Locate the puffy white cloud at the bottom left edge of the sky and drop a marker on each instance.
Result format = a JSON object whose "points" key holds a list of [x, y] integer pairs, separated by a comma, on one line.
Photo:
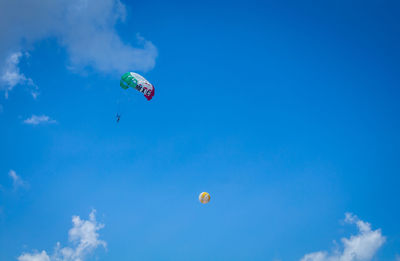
{"points": [[84, 238]]}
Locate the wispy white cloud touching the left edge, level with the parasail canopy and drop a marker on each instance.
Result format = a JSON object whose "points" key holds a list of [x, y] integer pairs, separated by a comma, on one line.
{"points": [[11, 75]]}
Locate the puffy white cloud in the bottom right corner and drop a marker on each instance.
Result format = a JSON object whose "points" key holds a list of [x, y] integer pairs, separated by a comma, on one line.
{"points": [[360, 247]]}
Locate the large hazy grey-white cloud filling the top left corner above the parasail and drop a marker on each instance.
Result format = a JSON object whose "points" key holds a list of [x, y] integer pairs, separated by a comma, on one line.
{"points": [[85, 28]]}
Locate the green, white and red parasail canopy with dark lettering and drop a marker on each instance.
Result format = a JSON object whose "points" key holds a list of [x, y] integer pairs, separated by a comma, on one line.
{"points": [[137, 82]]}
